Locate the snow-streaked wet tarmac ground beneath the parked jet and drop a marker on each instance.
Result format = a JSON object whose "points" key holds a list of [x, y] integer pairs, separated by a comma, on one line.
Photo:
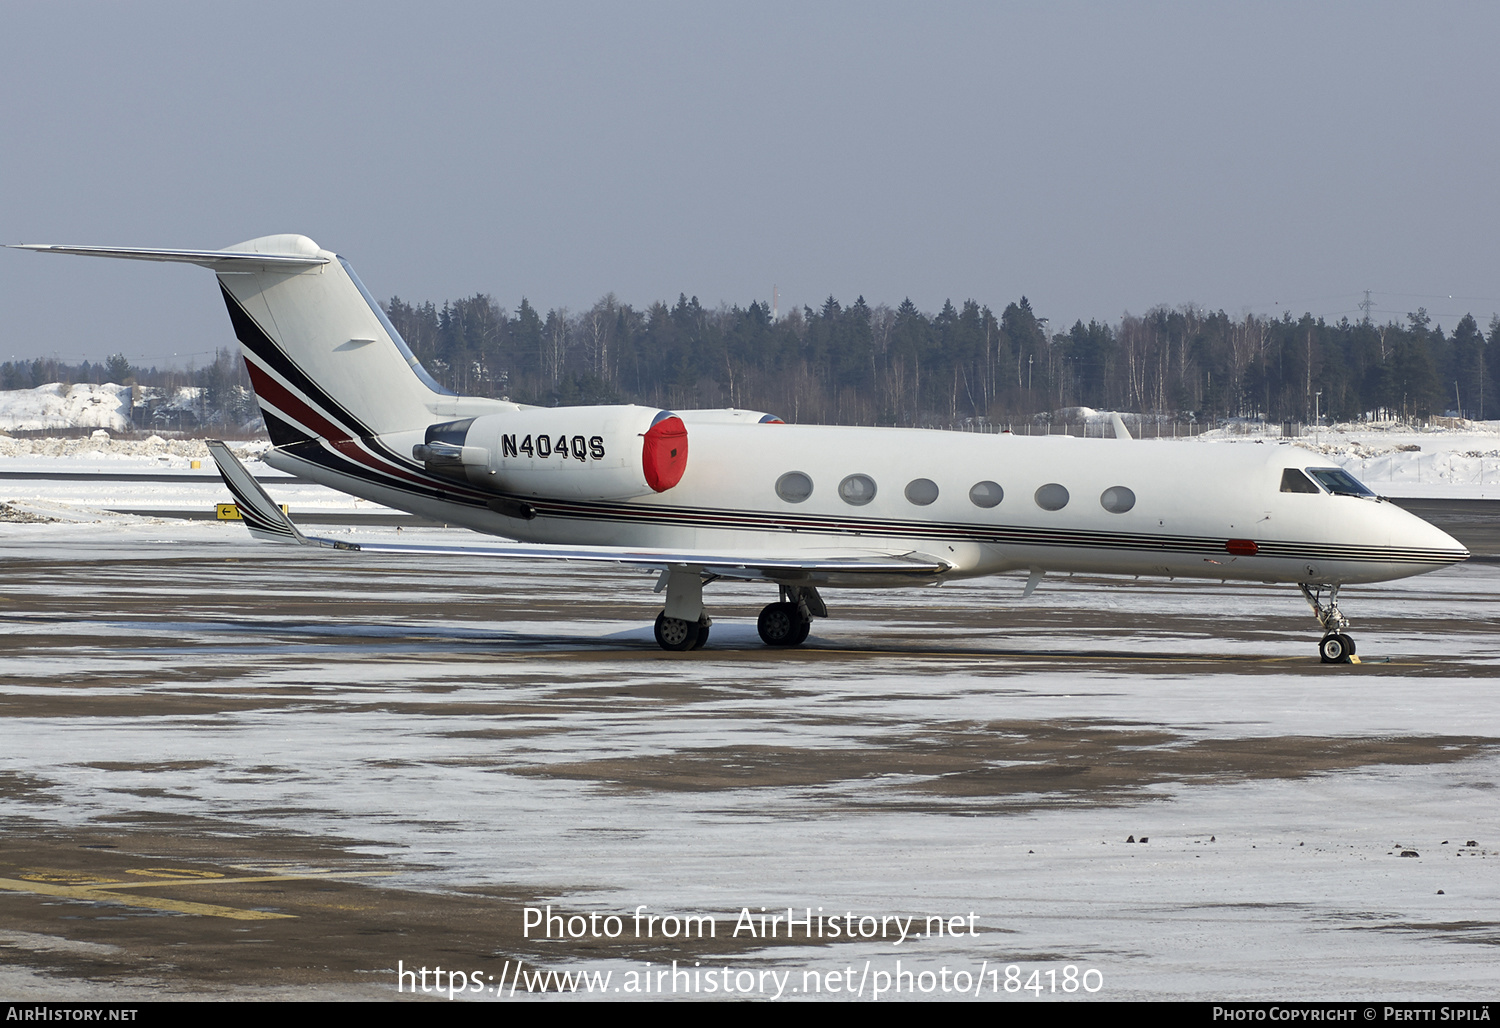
{"points": [[247, 771]]}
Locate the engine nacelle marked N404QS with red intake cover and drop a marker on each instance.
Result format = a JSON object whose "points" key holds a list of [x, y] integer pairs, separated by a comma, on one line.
{"points": [[562, 452]]}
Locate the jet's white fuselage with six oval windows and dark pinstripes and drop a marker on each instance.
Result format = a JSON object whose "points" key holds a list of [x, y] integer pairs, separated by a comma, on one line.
{"points": [[1190, 509]]}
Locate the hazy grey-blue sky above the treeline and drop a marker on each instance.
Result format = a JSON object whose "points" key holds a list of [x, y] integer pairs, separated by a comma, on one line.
{"points": [[1097, 158]]}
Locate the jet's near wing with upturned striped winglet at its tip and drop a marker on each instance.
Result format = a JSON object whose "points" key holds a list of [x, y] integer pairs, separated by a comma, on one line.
{"points": [[266, 520]]}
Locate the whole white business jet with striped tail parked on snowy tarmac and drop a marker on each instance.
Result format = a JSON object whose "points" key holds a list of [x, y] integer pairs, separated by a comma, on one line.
{"points": [[703, 496]]}
